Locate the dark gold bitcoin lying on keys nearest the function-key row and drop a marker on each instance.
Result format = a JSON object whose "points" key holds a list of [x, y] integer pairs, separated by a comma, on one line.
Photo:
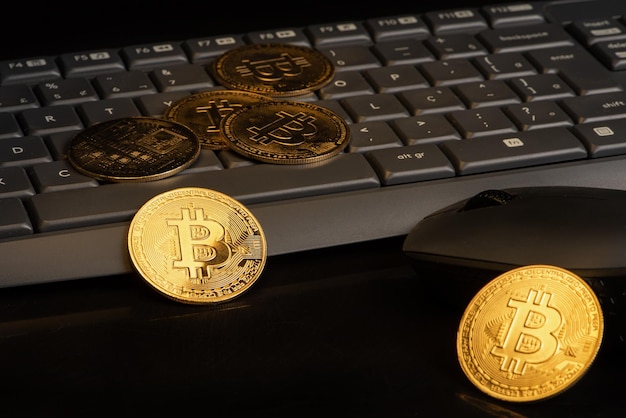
{"points": [[277, 70]]}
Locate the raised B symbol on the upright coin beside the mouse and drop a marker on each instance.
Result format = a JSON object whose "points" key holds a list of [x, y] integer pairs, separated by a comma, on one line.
{"points": [[530, 337]]}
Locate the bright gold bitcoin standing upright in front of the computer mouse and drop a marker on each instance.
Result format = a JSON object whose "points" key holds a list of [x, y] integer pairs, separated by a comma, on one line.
{"points": [[530, 333]]}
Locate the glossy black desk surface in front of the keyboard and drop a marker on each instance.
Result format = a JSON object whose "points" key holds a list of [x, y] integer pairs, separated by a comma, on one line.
{"points": [[343, 332]]}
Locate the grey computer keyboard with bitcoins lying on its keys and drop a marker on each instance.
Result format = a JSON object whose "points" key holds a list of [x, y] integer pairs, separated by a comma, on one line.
{"points": [[441, 105]]}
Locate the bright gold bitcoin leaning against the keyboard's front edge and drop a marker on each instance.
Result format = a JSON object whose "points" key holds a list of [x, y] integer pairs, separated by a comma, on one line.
{"points": [[197, 246]]}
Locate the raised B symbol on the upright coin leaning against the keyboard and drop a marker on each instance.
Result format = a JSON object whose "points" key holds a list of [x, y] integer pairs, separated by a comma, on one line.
{"points": [[201, 243]]}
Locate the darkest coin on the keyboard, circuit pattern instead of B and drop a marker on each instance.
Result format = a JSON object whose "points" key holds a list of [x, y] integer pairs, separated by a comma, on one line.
{"points": [[136, 149]]}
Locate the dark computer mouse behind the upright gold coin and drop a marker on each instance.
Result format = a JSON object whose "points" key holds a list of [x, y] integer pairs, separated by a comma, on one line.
{"points": [[459, 248]]}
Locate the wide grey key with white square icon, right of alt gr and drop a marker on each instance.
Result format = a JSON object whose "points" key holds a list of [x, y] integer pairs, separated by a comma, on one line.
{"points": [[522, 149]]}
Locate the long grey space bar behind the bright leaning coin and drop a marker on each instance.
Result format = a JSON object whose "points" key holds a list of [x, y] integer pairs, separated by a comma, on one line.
{"points": [[251, 184]]}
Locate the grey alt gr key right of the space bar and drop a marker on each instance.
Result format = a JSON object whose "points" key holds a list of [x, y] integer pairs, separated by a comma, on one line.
{"points": [[410, 164]]}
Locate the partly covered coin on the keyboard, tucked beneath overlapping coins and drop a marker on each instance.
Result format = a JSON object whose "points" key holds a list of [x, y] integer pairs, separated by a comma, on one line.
{"points": [[203, 112]]}
